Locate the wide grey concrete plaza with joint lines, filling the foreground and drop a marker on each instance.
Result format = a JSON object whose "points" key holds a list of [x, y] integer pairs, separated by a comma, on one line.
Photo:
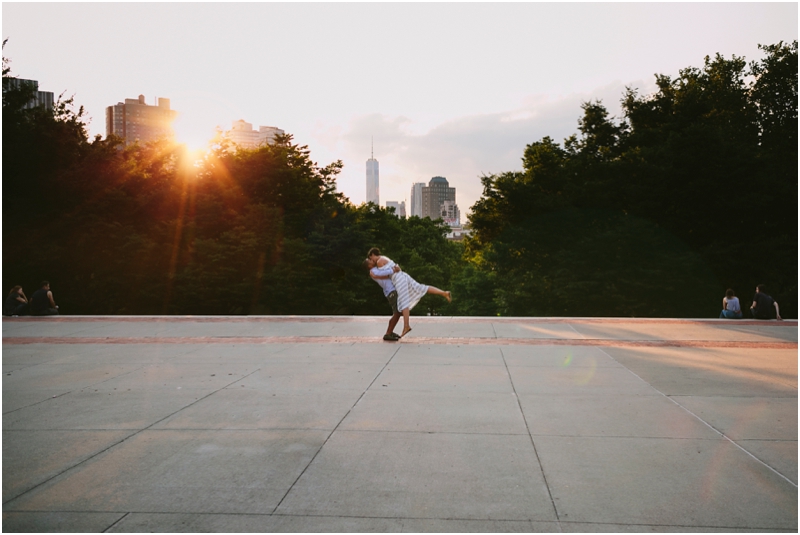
{"points": [[304, 424]]}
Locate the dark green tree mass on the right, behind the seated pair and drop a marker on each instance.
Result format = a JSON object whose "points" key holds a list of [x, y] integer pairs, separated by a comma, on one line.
{"points": [[693, 191]]}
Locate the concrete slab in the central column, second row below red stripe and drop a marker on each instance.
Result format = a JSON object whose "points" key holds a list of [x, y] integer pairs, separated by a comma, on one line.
{"points": [[444, 378]]}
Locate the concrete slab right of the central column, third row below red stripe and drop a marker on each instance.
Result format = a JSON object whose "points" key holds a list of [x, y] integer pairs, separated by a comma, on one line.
{"points": [[610, 415]]}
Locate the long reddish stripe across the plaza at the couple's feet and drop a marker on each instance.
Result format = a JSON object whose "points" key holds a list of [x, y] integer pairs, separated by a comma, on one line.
{"points": [[22, 340]]}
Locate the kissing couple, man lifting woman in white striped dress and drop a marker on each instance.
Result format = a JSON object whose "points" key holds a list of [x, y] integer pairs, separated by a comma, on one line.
{"points": [[402, 291]]}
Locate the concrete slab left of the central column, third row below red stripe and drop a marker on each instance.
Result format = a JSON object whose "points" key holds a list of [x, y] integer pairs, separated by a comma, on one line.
{"points": [[247, 408]]}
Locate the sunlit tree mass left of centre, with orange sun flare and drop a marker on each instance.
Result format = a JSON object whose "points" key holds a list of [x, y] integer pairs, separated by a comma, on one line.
{"points": [[154, 229]]}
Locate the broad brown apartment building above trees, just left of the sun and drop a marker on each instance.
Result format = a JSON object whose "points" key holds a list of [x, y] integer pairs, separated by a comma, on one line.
{"points": [[134, 120]]}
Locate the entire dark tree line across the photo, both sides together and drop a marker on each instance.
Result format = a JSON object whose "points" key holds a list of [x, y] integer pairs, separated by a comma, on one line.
{"points": [[654, 214]]}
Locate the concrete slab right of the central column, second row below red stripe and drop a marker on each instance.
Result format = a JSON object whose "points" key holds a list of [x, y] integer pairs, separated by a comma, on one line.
{"points": [[578, 380]]}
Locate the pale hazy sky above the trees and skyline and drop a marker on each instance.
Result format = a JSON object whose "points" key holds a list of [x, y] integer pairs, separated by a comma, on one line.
{"points": [[438, 89]]}
